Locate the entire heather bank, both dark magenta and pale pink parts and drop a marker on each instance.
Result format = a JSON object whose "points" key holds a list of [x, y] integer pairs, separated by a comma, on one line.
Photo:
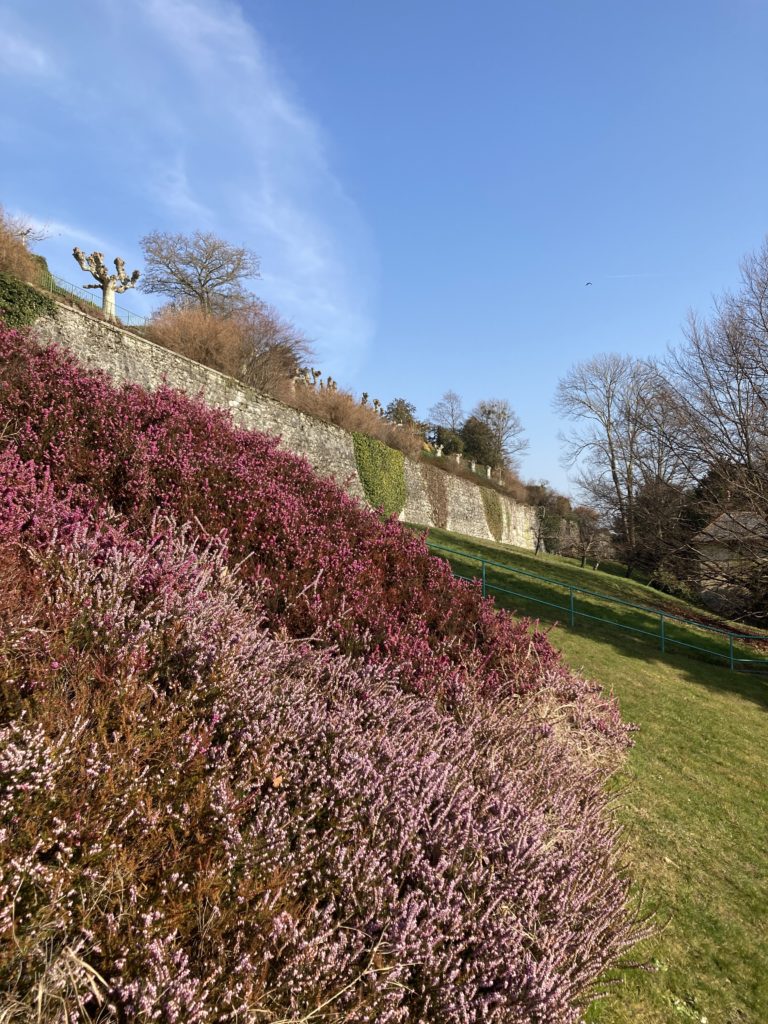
{"points": [[275, 764]]}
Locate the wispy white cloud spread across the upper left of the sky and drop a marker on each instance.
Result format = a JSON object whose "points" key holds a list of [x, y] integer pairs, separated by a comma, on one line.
{"points": [[175, 115]]}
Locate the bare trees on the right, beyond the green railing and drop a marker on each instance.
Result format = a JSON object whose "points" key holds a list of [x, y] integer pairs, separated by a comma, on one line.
{"points": [[674, 453]]}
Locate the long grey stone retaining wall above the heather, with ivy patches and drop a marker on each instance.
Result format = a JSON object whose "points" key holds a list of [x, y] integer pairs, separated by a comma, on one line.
{"points": [[130, 359]]}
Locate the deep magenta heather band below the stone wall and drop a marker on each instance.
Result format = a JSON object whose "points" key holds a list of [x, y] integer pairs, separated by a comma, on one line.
{"points": [[327, 569]]}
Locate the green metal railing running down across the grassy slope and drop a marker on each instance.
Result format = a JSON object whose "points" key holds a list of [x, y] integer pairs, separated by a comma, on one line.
{"points": [[670, 632]]}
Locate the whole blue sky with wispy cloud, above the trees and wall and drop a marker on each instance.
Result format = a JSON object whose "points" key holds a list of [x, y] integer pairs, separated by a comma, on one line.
{"points": [[430, 185]]}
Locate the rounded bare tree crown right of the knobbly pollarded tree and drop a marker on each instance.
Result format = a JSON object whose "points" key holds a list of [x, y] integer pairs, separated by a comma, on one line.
{"points": [[200, 270]]}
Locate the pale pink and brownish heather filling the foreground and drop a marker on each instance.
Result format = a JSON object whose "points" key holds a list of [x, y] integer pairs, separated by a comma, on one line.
{"points": [[202, 822]]}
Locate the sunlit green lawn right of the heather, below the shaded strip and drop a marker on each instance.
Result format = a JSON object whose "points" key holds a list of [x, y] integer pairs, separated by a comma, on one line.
{"points": [[696, 807]]}
